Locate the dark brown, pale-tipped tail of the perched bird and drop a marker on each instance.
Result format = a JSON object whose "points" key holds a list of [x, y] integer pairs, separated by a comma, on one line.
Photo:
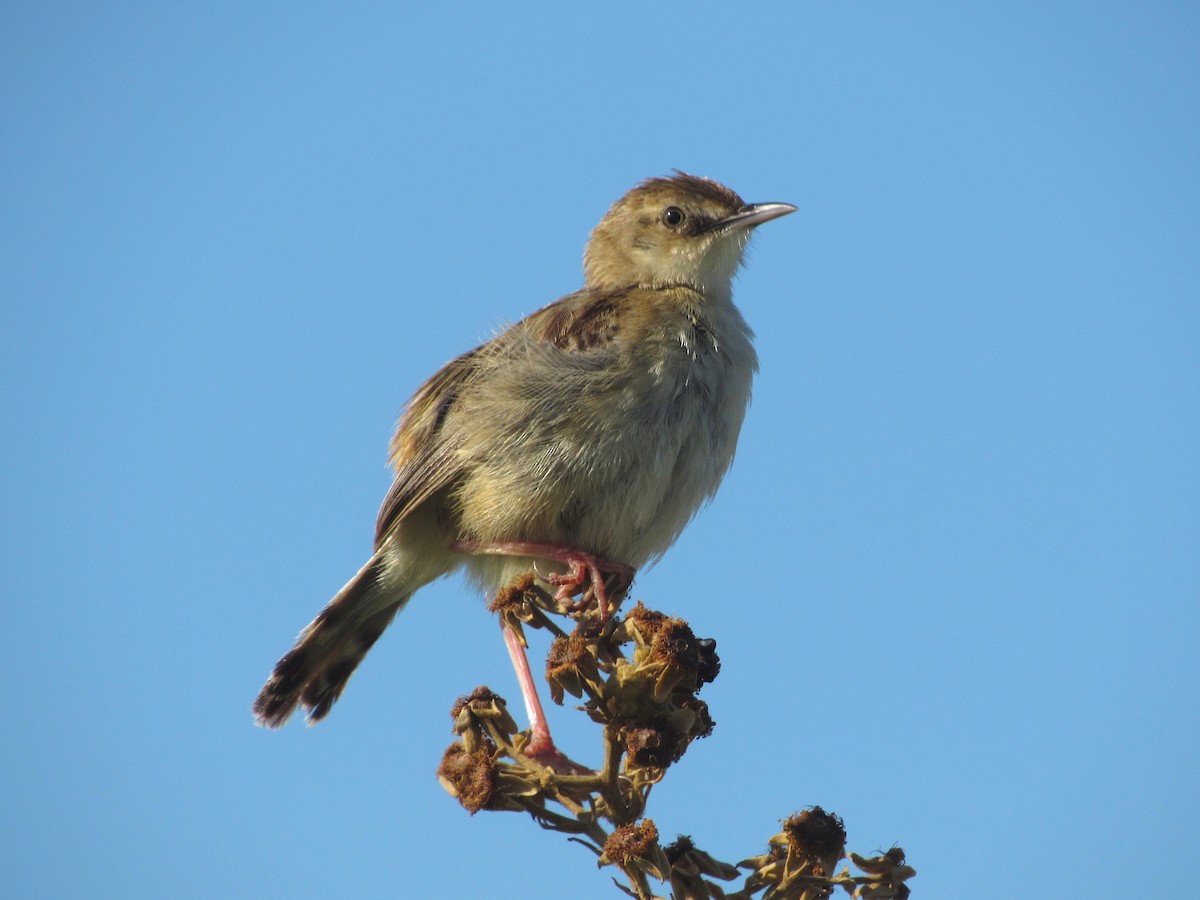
{"points": [[314, 674]]}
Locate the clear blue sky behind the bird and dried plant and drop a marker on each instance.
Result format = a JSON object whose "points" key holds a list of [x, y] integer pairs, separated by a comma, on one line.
{"points": [[953, 573]]}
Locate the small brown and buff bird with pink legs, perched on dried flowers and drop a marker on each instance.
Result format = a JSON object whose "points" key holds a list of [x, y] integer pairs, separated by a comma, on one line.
{"points": [[577, 443]]}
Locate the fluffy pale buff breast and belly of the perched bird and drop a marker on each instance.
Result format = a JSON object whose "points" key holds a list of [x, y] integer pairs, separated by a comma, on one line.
{"points": [[613, 453]]}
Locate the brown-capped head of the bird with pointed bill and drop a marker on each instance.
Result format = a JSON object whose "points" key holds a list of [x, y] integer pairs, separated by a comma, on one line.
{"points": [[675, 231]]}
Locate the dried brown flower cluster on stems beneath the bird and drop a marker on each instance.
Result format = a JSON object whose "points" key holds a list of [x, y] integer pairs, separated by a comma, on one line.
{"points": [[638, 677]]}
